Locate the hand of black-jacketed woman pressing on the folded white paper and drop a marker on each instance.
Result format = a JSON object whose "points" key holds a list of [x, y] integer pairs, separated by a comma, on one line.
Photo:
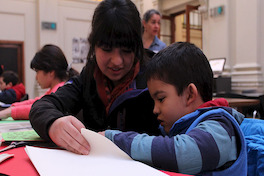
{"points": [[66, 133]]}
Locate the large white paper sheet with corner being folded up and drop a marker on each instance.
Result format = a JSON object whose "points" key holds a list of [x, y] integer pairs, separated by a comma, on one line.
{"points": [[104, 159]]}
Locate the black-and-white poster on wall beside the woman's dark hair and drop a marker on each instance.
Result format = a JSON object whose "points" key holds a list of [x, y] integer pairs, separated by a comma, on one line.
{"points": [[80, 48]]}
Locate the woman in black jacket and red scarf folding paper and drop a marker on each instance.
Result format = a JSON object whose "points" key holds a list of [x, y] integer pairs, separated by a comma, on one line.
{"points": [[107, 88]]}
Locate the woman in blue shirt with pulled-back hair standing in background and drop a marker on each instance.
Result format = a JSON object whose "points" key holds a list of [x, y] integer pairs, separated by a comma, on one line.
{"points": [[151, 24]]}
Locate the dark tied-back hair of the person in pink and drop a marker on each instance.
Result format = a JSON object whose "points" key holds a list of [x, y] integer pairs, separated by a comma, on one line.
{"points": [[51, 58]]}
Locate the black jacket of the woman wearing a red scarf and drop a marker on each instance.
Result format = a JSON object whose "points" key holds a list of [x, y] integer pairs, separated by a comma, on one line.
{"points": [[132, 111]]}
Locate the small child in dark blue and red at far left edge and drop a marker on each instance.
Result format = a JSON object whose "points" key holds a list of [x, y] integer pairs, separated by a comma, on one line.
{"points": [[12, 91]]}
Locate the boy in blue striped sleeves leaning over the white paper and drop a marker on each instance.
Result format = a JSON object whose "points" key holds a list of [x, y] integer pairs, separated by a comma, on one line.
{"points": [[199, 135]]}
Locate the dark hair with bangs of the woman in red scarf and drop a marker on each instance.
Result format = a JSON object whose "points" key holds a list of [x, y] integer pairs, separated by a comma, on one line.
{"points": [[116, 23]]}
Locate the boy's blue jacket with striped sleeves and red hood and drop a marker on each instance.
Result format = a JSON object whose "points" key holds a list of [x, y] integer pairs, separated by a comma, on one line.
{"points": [[207, 141]]}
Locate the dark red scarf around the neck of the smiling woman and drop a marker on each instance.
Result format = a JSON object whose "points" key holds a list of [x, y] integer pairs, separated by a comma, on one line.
{"points": [[107, 92]]}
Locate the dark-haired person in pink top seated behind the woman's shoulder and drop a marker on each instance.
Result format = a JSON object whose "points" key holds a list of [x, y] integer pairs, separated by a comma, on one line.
{"points": [[52, 71]]}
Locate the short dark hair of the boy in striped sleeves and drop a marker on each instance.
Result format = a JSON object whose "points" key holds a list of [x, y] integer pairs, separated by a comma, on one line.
{"points": [[180, 64]]}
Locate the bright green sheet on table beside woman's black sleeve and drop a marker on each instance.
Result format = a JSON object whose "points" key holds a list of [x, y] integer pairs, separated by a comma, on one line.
{"points": [[29, 135]]}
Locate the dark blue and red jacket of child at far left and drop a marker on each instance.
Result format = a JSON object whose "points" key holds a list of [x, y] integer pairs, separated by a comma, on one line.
{"points": [[12, 94]]}
